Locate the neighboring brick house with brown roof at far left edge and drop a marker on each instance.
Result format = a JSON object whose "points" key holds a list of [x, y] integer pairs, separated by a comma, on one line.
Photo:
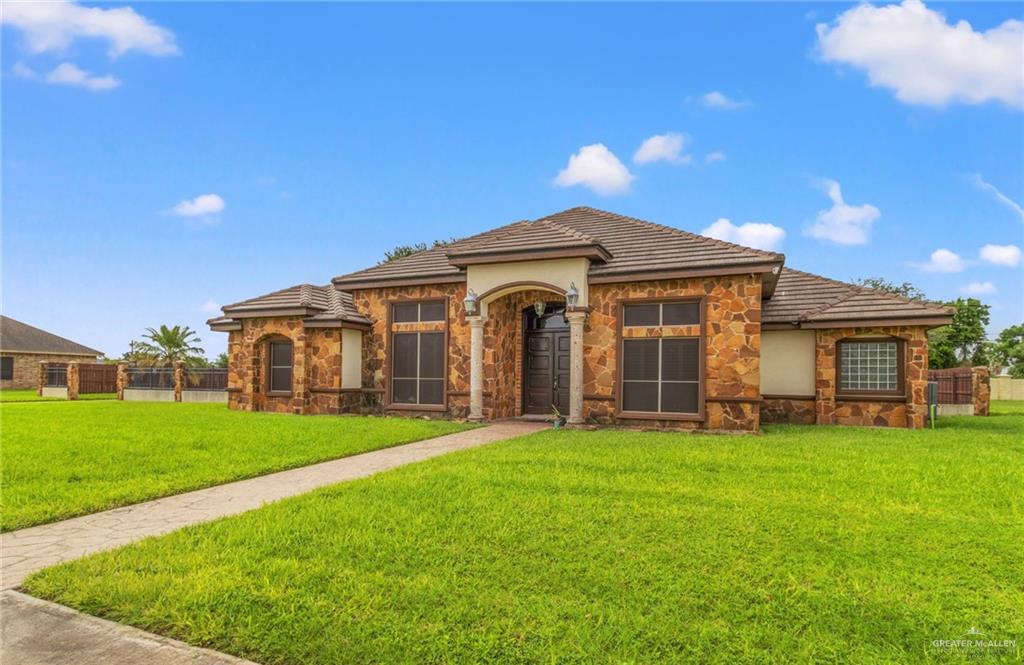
{"points": [[23, 348]]}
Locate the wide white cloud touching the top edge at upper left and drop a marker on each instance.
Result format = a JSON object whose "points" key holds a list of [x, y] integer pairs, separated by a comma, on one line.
{"points": [[54, 26]]}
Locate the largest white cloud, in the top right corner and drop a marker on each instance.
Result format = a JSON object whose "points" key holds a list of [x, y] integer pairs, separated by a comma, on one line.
{"points": [[915, 52]]}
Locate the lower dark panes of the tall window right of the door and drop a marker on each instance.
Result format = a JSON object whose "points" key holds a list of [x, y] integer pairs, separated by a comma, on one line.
{"points": [[662, 376]]}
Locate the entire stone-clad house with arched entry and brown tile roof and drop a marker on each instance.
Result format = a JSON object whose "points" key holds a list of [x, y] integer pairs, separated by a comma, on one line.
{"points": [[608, 319]]}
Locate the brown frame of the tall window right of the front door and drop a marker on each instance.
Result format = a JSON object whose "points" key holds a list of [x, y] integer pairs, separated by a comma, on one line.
{"points": [[702, 337]]}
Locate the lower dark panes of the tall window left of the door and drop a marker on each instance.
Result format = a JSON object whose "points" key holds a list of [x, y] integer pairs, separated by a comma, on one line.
{"points": [[418, 368]]}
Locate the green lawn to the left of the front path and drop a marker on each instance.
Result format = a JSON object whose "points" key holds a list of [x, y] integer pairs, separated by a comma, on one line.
{"points": [[66, 460]]}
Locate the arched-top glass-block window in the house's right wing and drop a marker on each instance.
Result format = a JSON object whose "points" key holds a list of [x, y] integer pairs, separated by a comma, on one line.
{"points": [[871, 366]]}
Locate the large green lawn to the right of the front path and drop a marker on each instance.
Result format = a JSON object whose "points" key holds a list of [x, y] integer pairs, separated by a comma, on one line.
{"points": [[807, 545]]}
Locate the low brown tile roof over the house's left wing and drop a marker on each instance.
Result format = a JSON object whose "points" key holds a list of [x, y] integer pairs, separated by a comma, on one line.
{"points": [[317, 303]]}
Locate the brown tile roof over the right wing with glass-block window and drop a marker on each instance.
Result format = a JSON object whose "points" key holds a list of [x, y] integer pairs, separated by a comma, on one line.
{"points": [[810, 299]]}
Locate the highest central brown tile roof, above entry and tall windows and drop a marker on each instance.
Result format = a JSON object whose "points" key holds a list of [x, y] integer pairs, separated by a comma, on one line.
{"points": [[625, 245]]}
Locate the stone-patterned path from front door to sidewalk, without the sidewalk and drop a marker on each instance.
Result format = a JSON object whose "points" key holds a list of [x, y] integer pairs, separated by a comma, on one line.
{"points": [[27, 551]]}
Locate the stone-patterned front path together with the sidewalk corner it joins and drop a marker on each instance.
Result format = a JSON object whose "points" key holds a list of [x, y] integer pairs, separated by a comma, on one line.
{"points": [[38, 633]]}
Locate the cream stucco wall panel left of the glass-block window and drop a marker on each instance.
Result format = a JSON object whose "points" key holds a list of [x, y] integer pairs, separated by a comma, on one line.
{"points": [[788, 363]]}
